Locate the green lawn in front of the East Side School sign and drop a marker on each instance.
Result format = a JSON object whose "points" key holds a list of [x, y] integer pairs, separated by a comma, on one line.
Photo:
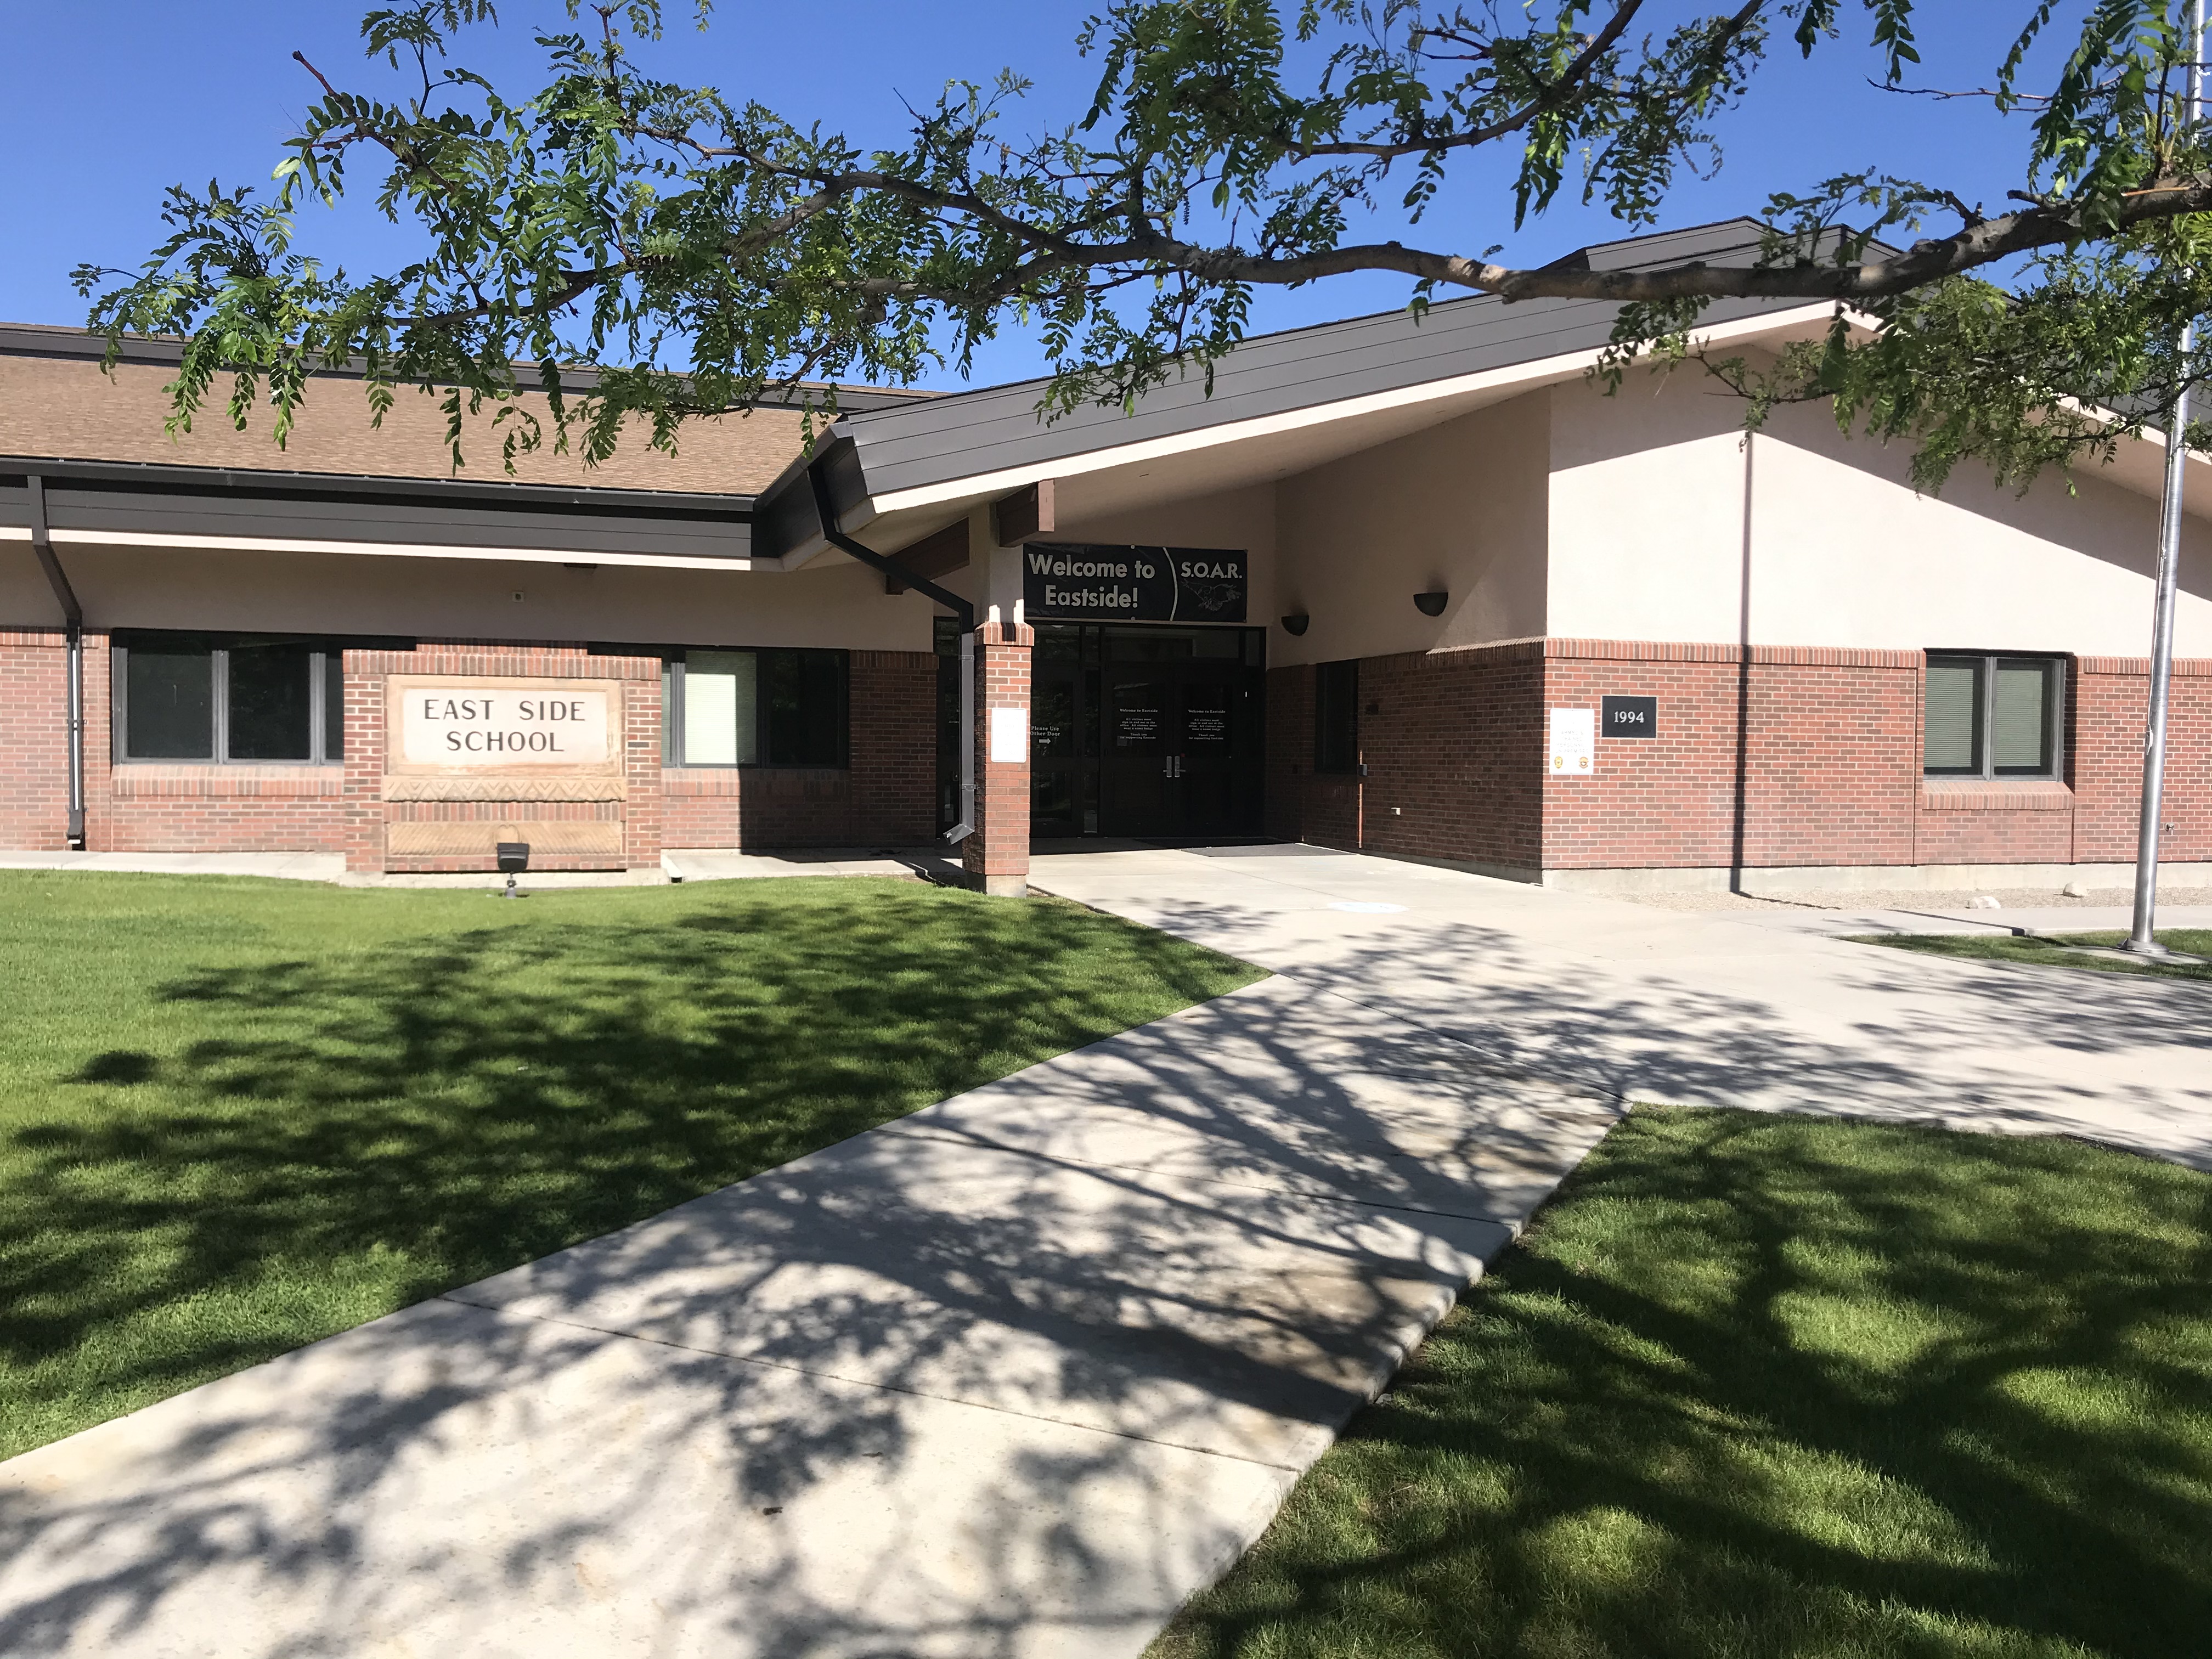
{"points": [[238, 1116]]}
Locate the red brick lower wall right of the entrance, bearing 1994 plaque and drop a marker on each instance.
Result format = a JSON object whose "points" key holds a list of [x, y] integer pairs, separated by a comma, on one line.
{"points": [[1795, 758]]}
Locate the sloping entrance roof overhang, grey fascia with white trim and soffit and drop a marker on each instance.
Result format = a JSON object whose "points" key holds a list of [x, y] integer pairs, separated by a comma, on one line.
{"points": [[1280, 406]]}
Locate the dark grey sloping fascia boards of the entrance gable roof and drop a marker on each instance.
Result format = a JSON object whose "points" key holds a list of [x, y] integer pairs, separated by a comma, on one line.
{"points": [[1001, 428]]}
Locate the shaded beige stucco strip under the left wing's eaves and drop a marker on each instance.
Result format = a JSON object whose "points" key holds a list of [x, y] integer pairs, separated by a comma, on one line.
{"points": [[835, 605]]}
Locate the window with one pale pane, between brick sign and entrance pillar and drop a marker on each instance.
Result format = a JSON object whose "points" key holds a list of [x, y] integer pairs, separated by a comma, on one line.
{"points": [[755, 707]]}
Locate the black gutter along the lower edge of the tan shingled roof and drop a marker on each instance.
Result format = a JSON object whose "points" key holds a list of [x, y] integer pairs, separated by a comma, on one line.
{"points": [[160, 479]]}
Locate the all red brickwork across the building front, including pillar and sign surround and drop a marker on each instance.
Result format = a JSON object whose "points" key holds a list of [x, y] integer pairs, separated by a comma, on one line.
{"points": [[1795, 758]]}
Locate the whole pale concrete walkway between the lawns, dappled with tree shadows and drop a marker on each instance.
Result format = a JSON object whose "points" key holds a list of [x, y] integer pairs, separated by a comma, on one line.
{"points": [[1016, 1375]]}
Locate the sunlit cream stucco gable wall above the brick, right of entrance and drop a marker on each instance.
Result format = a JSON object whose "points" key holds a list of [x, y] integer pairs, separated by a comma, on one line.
{"points": [[1653, 519]]}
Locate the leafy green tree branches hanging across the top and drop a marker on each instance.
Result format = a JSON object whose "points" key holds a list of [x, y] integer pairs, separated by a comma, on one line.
{"points": [[702, 255]]}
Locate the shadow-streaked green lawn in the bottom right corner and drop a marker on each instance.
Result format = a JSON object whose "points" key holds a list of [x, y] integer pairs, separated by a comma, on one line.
{"points": [[1782, 1386]]}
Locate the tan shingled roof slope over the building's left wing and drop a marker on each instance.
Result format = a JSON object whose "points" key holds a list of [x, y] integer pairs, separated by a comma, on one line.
{"points": [[67, 408]]}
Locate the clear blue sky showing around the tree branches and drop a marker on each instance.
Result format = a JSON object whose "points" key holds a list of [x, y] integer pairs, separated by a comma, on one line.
{"points": [[112, 101]]}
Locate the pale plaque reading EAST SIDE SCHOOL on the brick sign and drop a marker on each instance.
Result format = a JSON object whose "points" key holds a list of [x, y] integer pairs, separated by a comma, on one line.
{"points": [[483, 724]]}
